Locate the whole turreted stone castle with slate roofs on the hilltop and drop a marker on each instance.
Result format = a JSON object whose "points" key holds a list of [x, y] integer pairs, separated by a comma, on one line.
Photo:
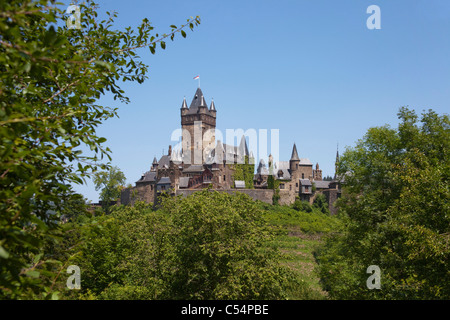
{"points": [[203, 162]]}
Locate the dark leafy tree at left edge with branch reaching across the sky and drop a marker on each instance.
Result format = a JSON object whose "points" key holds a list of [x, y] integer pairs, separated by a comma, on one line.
{"points": [[50, 80]]}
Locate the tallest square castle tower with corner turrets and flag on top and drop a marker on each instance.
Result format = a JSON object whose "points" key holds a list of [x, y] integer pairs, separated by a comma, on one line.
{"points": [[198, 124]]}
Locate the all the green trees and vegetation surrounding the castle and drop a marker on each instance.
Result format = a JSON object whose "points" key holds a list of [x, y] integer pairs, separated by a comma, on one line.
{"points": [[394, 212]]}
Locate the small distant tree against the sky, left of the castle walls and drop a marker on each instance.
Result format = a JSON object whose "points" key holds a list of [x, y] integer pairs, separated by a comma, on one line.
{"points": [[110, 183]]}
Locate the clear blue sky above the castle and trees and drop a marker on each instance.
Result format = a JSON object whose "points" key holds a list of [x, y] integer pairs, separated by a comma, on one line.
{"points": [[311, 69]]}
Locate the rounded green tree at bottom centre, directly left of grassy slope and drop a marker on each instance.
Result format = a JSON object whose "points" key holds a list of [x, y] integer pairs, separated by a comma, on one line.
{"points": [[219, 249]]}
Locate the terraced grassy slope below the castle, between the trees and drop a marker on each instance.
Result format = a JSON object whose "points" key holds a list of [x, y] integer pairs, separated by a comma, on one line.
{"points": [[299, 234]]}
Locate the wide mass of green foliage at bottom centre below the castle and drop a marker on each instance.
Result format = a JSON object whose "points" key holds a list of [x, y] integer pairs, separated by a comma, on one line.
{"points": [[209, 245]]}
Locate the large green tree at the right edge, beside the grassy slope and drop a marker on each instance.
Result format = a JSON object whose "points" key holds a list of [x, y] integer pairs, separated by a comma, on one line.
{"points": [[396, 211]]}
